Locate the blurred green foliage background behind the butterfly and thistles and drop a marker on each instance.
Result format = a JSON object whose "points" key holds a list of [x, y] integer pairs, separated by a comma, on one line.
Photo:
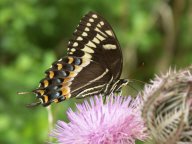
{"points": [[154, 35]]}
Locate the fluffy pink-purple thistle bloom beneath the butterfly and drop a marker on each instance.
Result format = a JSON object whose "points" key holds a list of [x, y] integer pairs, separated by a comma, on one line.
{"points": [[116, 122]]}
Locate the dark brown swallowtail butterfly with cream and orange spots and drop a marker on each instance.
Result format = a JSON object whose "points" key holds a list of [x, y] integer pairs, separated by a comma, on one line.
{"points": [[93, 65]]}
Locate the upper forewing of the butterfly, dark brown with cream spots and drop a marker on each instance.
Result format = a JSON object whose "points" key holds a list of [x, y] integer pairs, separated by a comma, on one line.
{"points": [[95, 36]]}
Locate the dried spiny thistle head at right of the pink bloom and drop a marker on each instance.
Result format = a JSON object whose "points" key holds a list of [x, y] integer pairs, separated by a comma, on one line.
{"points": [[167, 108]]}
